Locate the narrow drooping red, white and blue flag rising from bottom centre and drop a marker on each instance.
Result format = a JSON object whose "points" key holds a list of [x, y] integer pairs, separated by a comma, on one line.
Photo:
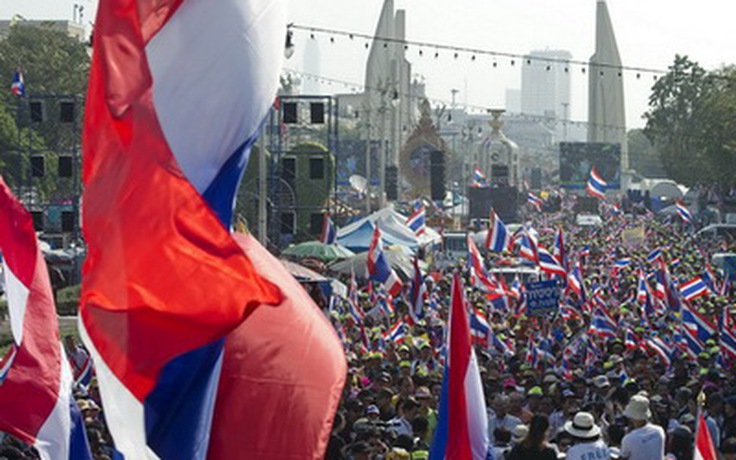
{"points": [[462, 425]]}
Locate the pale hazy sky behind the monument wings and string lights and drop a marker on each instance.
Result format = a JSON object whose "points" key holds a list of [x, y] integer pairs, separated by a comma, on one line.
{"points": [[649, 34]]}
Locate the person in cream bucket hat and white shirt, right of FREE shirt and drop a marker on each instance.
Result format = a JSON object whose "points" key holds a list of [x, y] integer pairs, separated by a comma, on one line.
{"points": [[646, 440]]}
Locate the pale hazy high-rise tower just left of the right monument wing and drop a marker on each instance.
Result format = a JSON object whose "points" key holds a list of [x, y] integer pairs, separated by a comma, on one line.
{"points": [[545, 83]]}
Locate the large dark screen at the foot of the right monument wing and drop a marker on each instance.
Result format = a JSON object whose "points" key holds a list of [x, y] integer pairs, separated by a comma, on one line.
{"points": [[577, 158]]}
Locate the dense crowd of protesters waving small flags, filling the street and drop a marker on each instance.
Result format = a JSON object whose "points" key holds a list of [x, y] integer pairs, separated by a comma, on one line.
{"points": [[556, 386]]}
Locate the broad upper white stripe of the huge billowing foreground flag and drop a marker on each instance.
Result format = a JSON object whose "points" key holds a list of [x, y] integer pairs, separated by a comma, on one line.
{"points": [[191, 61]]}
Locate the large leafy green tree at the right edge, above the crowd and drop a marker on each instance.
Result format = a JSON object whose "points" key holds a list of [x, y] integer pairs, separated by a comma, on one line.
{"points": [[692, 123]]}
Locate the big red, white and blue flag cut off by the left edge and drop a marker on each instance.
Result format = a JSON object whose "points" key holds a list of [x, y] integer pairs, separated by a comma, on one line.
{"points": [[36, 402]]}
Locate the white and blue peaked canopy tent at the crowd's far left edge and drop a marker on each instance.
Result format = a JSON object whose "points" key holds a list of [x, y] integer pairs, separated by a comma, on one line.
{"points": [[394, 231]]}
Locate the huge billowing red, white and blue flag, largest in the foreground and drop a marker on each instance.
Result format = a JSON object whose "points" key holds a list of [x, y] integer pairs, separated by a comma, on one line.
{"points": [[191, 362]]}
